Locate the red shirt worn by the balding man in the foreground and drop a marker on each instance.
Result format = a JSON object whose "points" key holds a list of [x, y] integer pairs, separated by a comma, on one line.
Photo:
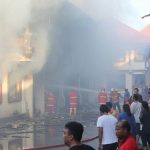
{"points": [[128, 144]]}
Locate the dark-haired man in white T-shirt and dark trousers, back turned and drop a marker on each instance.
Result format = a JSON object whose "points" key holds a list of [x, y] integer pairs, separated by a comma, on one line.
{"points": [[106, 124]]}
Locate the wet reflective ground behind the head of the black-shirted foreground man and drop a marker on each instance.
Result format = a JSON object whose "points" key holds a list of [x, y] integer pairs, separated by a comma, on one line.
{"points": [[27, 134]]}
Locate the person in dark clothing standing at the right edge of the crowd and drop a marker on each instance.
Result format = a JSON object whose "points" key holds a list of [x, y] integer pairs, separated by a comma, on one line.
{"points": [[145, 121]]}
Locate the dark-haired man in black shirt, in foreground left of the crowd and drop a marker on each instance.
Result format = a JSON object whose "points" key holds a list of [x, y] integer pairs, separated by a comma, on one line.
{"points": [[72, 136]]}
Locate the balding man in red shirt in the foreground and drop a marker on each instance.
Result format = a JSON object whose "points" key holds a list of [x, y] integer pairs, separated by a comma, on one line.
{"points": [[126, 141]]}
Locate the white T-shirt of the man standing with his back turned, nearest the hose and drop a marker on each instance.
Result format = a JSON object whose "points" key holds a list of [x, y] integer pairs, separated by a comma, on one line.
{"points": [[108, 123]]}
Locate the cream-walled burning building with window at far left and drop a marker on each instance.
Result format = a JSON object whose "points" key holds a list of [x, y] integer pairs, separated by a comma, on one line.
{"points": [[16, 87]]}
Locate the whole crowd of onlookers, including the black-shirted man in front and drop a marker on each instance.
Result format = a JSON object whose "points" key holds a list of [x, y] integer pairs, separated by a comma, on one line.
{"points": [[118, 129]]}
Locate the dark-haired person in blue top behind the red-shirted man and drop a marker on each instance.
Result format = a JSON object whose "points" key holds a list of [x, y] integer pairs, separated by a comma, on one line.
{"points": [[126, 115]]}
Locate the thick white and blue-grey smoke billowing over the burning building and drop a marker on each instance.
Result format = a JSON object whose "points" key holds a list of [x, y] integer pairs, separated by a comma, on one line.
{"points": [[72, 38]]}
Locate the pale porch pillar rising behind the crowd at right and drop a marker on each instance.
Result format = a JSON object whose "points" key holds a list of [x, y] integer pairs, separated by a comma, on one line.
{"points": [[128, 81]]}
